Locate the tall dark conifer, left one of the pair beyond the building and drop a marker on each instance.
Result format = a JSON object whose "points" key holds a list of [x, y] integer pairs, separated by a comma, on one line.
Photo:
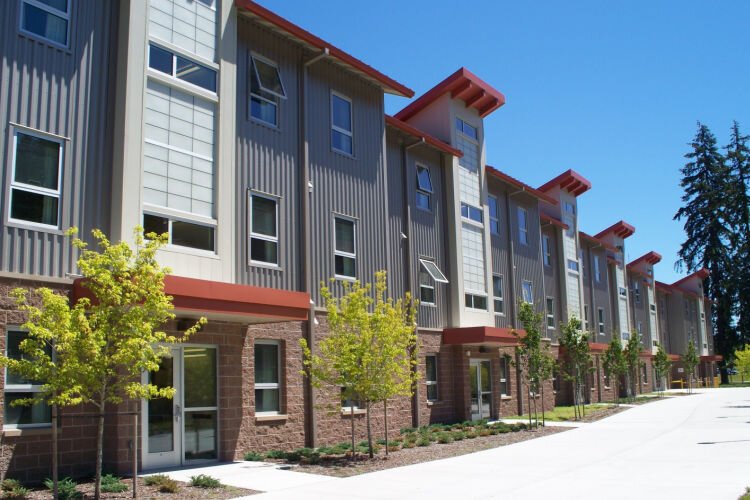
{"points": [[705, 181]]}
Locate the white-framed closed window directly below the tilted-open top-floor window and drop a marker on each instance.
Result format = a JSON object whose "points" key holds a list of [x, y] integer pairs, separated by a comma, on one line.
{"points": [[264, 229]]}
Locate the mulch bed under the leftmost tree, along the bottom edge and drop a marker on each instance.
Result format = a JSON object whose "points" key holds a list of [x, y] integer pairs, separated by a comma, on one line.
{"points": [[144, 492]]}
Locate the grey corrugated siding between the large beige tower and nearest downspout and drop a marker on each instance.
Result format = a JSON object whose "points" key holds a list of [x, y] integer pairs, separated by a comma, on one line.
{"points": [[268, 159]]}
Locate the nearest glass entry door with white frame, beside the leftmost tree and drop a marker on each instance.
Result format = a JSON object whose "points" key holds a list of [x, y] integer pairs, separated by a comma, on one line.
{"points": [[182, 429]]}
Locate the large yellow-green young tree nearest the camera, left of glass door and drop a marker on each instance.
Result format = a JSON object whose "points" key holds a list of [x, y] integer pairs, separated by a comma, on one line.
{"points": [[95, 351]]}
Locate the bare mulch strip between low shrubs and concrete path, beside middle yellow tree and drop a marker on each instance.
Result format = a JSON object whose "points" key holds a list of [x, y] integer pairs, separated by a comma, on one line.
{"points": [[344, 467]]}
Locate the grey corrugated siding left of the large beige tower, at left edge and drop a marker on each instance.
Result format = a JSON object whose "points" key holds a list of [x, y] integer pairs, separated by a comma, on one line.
{"points": [[69, 93]]}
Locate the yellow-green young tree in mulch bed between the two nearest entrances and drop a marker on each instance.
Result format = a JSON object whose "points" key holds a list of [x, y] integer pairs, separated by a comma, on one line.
{"points": [[370, 351]]}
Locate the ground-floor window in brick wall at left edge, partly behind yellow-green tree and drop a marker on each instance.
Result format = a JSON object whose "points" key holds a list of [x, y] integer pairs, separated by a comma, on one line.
{"points": [[16, 388]]}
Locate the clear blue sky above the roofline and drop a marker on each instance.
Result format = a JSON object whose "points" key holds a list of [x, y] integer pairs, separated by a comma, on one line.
{"points": [[612, 90]]}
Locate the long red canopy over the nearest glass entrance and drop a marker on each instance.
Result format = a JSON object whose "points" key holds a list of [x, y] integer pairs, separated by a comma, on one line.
{"points": [[217, 299]]}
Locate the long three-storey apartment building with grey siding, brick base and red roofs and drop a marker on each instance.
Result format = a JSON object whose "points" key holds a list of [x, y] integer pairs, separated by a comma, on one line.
{"points": [[265, 153]]}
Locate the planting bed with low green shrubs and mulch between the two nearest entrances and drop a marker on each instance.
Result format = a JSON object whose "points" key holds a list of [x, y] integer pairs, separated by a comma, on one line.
{"points": [[413, 446]]}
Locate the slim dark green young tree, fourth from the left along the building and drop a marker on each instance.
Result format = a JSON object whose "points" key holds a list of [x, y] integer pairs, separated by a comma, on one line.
{"points": [[574, 344]]}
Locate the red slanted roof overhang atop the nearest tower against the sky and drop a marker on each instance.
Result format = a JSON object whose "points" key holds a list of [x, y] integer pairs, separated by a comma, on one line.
{"points": [[464, 85]]}
